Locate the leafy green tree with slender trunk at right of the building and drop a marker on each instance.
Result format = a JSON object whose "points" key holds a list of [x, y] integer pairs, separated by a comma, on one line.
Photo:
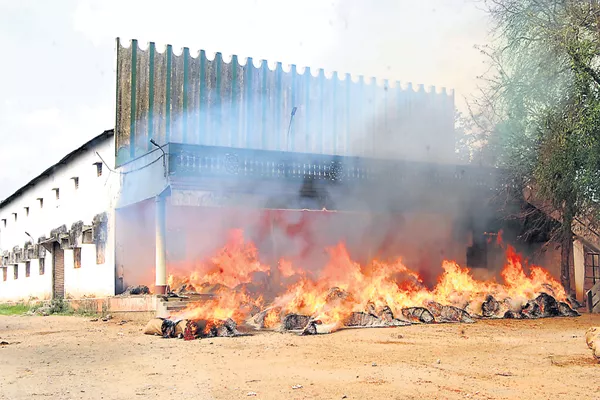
{"points": [[540, 109]]}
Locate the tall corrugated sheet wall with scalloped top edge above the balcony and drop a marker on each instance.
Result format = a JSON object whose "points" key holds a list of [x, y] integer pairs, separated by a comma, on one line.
{"points": [[239, 103]]}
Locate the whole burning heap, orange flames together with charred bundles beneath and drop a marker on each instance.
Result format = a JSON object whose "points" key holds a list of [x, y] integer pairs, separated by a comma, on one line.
{"points": [[345, 294]]}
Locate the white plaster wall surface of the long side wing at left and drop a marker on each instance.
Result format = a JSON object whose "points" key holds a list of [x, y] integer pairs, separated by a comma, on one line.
{"points": [[95, 194]]}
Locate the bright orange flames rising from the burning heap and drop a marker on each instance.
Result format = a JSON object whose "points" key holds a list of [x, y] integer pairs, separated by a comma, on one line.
{"points": [[344, 286]]}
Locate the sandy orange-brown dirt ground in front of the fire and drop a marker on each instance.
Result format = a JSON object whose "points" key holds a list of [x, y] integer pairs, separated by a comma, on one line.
{"points": [[75, 358]]}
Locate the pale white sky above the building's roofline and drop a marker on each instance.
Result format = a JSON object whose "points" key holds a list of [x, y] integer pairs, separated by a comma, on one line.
{"points": [[57, 75]]}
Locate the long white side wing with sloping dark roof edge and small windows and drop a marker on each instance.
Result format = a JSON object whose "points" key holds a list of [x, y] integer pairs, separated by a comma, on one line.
{"points": [[57, 231]]}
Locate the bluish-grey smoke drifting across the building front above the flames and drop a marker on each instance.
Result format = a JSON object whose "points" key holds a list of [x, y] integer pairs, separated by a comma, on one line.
{"points": [[418, 210]]}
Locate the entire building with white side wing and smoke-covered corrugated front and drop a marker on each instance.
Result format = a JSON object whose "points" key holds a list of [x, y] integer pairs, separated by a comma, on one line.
{"points": [[202, 145]]}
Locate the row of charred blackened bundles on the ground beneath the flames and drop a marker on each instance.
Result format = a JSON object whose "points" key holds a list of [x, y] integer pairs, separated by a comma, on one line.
{"points": [[542, 306]]}
